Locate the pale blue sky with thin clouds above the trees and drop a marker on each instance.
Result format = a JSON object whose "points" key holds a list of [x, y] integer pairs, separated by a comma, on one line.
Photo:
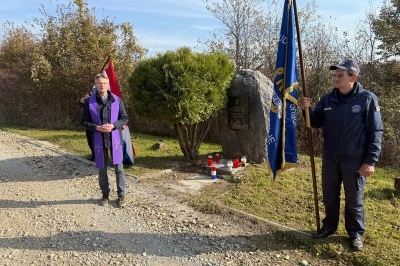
{"points": [[161, 25]]}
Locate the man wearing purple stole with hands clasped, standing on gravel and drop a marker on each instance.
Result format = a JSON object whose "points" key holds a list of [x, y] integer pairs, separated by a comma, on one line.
{"points": [[104, 114]]}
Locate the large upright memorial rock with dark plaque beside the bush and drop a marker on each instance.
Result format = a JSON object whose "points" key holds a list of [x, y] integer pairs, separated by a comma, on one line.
{"points": [[245, 132]]}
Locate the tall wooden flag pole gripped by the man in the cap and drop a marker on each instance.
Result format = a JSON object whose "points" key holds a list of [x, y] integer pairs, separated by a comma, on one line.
{"points": [[308, 124]]}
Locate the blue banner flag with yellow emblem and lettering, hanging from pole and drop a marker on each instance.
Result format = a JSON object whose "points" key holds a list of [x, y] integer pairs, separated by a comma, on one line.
{"points": [[281, 140]]}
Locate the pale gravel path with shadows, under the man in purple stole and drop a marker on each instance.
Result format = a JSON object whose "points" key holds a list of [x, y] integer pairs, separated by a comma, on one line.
{"points": [[51, 215]]}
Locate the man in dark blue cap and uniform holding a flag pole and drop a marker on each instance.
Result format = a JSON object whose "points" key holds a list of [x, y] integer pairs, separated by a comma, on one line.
{"points": [[352, 132]]}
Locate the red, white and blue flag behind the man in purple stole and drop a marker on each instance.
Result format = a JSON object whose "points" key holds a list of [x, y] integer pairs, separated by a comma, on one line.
{"points": [[127, 146]]}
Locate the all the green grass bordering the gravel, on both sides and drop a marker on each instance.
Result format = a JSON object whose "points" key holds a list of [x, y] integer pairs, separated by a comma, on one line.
{"points": [[287, 200]]}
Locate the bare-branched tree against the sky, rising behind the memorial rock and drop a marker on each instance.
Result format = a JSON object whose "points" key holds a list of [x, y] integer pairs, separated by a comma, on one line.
{"points": [[243, 33]]}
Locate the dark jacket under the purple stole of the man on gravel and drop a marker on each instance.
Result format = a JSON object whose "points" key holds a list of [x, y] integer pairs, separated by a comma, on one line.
{"points": [[105, 116]]}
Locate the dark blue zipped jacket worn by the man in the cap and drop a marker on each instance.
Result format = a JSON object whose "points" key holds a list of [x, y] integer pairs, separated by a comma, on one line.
{"points": [[352, 130]]}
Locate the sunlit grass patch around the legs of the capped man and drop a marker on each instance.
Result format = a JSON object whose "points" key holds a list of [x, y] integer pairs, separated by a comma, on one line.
{"points": [[289, 200]]}
